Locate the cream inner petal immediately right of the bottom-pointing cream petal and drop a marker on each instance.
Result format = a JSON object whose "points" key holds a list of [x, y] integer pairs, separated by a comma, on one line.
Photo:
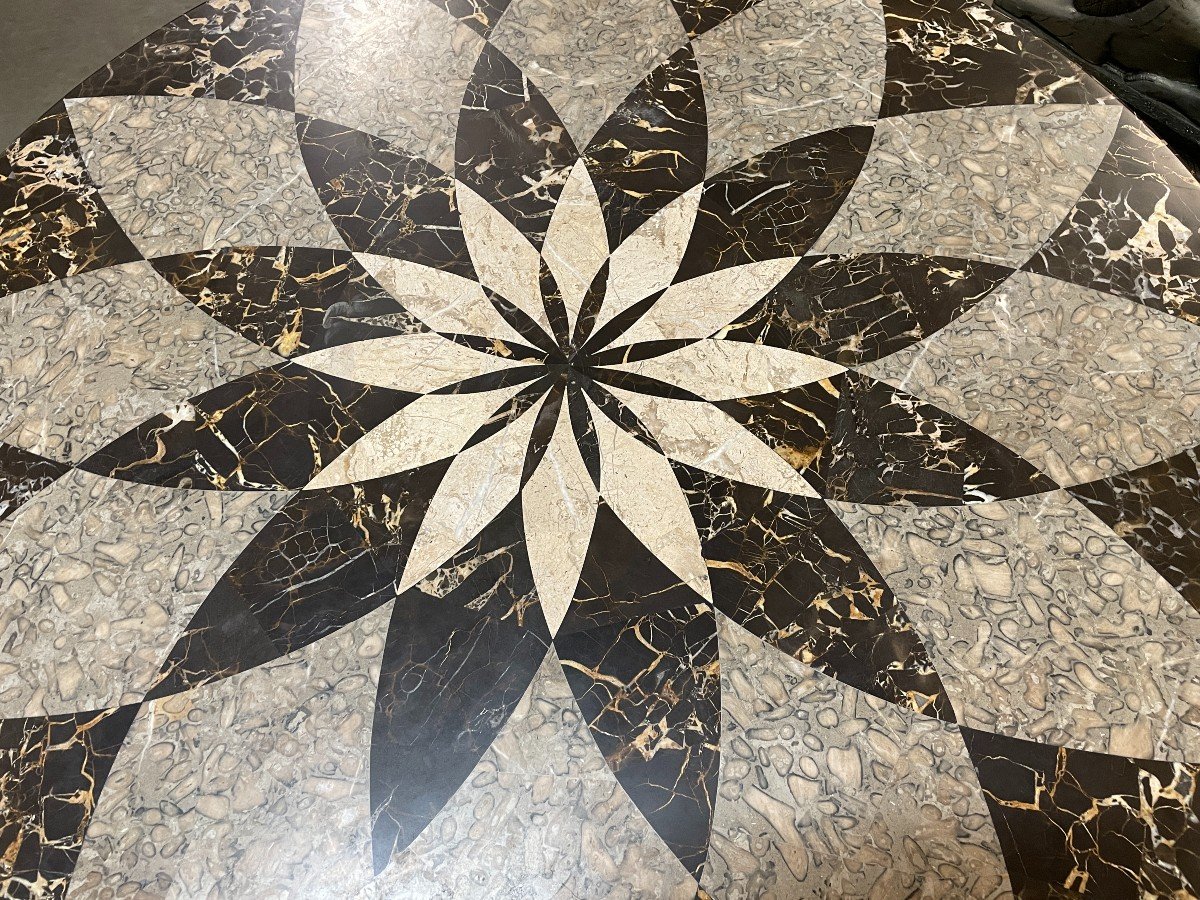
{"points": [[641, 489]]}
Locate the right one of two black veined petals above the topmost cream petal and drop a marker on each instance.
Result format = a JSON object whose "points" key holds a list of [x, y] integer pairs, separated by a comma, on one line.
{"points": [[653, 148]]}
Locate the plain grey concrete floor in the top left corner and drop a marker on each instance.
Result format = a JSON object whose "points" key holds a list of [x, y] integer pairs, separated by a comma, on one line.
{"points": [[47, 49]]}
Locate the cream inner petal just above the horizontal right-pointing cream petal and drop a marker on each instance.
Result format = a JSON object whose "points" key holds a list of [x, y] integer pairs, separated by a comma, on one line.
{"points": [[700, 308]]}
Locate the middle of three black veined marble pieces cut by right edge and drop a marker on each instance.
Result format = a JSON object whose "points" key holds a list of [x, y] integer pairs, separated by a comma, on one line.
{"points": [[1156, 511]]}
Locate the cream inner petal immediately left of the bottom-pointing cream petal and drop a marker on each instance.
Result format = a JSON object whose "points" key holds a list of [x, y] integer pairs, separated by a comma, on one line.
{"points": [[479, 484]]}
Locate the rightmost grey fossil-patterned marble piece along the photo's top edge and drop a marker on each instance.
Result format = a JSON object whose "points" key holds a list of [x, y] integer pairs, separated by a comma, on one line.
{"points": [[785, 69]]}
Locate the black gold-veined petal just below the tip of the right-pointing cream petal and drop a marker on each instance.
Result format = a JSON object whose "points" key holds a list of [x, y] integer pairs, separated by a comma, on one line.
{"points": [[863, 441]]}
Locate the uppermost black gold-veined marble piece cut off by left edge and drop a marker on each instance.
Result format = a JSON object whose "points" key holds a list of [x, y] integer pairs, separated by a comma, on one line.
{"points": [[56, 223]]}
